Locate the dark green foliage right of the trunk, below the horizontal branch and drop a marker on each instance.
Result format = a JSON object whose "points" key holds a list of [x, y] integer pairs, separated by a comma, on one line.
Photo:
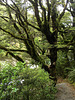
{"points": [[63, 64]]}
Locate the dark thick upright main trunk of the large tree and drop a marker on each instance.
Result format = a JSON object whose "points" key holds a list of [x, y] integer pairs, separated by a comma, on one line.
{"points": [[52, 39]]}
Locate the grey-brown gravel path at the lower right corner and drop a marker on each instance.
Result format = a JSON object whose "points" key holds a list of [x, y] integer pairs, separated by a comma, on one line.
{"points": [[65, 91]]}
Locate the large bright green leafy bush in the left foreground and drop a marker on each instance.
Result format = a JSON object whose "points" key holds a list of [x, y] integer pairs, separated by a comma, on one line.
{"points": [[24, 83]]}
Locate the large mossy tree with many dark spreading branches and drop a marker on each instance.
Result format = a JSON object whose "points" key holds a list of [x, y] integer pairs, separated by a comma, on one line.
{"points": [[46, 21]]}
